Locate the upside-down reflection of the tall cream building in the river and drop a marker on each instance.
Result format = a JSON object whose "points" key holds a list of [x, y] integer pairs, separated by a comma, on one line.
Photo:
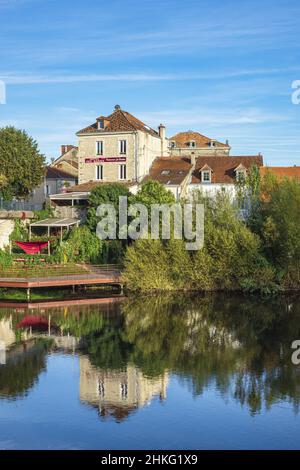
{"points": [[117, 393]]}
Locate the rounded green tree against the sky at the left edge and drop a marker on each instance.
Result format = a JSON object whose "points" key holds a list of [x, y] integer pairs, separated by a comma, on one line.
{"points": [[22, 165]]}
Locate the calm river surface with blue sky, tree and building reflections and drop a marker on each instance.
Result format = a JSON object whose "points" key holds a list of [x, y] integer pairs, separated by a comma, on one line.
{"points": [[151, 373]]}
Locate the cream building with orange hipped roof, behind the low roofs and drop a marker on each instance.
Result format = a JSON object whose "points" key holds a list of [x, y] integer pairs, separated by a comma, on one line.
{"points": [[189, 143]]}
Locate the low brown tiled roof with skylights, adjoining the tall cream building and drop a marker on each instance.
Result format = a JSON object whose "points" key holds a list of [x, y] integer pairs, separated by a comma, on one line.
{"points": [[169, 170]]}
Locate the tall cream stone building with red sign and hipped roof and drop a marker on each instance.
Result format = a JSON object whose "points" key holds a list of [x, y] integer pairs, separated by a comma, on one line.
{"points": [[118, 147]]}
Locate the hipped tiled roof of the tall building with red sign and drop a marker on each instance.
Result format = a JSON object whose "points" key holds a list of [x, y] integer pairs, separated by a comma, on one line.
{"points": [[119, 121]]}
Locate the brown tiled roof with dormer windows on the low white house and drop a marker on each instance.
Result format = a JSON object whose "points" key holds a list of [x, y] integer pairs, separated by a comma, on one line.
{"points": [[223, 168]]}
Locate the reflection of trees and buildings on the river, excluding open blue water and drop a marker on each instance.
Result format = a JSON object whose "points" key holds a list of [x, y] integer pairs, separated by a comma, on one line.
{"points": [[128, 350]]}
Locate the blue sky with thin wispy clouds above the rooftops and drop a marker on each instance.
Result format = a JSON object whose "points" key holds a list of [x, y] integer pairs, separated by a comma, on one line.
{"points": [[224, 68]]}
